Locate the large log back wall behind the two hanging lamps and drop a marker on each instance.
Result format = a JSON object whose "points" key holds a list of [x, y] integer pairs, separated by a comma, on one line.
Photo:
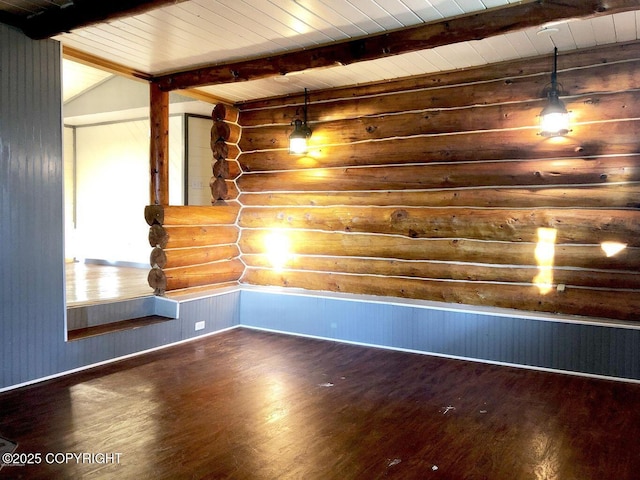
{"points": [[440, 188]]}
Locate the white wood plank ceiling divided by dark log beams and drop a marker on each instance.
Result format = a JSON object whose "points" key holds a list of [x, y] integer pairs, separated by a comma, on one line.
{"points": [[181, 35]]}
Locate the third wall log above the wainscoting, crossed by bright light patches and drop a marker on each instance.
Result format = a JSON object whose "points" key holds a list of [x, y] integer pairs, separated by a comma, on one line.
{"points": [[446, 250]]}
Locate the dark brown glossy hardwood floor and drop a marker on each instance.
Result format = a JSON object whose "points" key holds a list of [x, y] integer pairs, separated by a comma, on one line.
{"points": [[254, 405]]}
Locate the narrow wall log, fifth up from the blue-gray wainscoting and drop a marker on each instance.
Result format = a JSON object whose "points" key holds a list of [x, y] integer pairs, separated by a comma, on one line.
{"points": [[600, 196]]}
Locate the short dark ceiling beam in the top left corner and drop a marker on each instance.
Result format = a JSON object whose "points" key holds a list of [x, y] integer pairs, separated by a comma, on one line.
{"points": [[82, 13]]}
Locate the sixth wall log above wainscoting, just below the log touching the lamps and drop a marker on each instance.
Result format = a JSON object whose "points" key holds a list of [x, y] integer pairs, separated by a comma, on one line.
{"points": [[438, 176]]}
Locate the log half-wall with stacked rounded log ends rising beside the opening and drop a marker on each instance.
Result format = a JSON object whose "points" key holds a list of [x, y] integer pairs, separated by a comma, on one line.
{"points": [[196, 246]]}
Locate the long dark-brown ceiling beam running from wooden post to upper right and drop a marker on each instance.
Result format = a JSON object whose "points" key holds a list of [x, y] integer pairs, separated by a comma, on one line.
{"points": [[425, 36]]}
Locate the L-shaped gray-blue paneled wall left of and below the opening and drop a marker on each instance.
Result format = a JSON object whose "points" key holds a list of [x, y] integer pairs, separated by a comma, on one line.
{"points": [[32, 303]]}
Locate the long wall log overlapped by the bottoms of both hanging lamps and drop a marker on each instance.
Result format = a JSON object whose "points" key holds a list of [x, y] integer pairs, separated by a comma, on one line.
{"points": [[585, 141]]}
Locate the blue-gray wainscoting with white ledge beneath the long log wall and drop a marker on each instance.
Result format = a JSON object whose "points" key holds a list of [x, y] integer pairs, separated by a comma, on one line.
{"points": [[540, 341]]}
